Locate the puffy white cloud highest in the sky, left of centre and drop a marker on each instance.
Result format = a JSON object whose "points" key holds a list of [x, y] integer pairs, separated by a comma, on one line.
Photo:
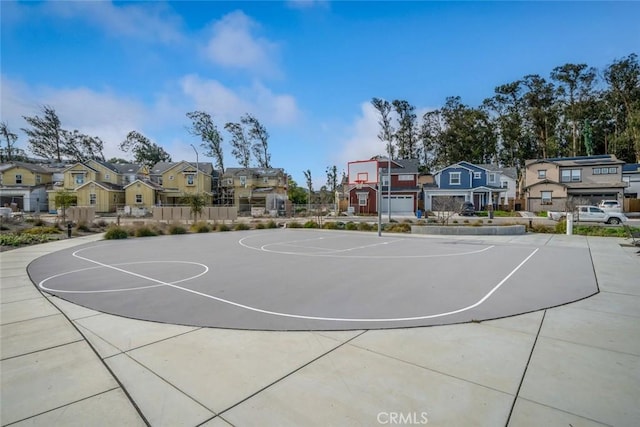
{"points": [[234, 45]]}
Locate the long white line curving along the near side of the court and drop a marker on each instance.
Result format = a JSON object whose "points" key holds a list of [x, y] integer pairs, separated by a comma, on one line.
{"points": [[298, 316]]}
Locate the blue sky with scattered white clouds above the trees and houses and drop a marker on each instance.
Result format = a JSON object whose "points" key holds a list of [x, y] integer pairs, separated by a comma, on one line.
{"points": [[306, 69]]}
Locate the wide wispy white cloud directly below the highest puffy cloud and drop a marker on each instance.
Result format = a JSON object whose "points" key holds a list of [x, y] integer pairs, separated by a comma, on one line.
{"points": [[227, 104]]}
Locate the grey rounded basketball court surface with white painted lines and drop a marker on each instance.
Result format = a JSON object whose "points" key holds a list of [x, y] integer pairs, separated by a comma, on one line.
{"points": [[314, 280]]}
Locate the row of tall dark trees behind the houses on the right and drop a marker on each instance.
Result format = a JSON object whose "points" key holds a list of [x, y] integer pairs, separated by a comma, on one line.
{"points": [[577, 110]]}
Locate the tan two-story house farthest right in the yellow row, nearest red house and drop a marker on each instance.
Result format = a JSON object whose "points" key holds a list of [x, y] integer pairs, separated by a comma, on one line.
{"points": [[254, 191]]}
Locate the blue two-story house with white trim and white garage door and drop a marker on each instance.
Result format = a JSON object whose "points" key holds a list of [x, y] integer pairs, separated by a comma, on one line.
{"points": [[483, 185]]}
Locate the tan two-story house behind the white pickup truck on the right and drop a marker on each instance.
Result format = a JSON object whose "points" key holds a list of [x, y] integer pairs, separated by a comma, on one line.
{"points": [[551, 184]]}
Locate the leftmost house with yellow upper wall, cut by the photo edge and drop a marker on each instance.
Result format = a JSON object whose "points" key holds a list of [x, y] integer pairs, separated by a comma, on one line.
{"points": [[23, 186]]}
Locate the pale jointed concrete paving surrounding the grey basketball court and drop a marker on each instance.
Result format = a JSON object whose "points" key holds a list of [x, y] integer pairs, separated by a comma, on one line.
{"points": [[577, 364]]}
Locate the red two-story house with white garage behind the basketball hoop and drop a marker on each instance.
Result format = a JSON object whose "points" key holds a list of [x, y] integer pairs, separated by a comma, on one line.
{"points": [[366, 177]]}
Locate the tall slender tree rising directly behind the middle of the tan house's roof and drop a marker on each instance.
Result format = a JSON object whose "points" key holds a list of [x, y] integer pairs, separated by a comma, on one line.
{"points": [[574, 91]]}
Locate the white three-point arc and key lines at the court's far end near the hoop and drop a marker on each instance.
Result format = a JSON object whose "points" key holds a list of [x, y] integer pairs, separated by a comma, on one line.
{"points": [[340, 252]]}
